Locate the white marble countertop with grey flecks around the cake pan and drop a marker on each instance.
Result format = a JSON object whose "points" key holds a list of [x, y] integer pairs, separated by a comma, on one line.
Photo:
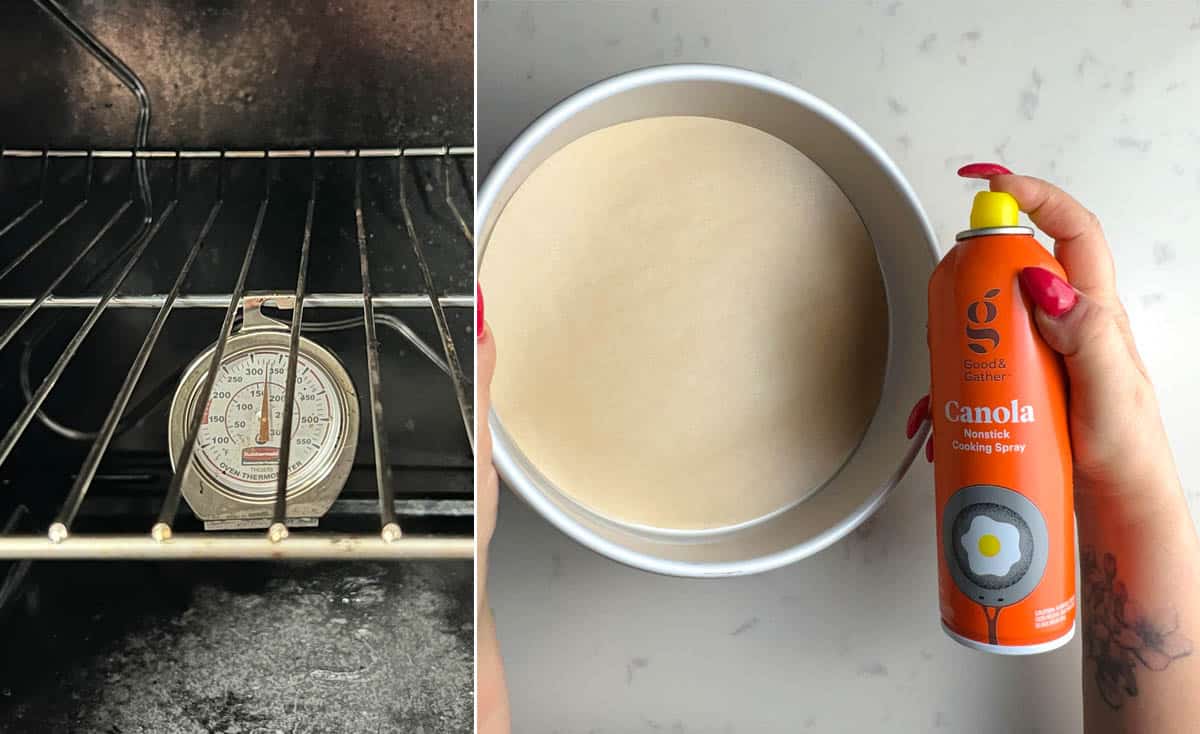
{"points": [[1105, 103]]}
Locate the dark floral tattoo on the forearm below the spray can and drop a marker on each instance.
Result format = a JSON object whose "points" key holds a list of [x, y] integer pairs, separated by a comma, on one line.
{"points": [[1120, 636]]}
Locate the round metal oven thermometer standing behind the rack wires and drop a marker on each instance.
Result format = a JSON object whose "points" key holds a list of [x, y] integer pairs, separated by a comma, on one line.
{"points": [[236, 462]]}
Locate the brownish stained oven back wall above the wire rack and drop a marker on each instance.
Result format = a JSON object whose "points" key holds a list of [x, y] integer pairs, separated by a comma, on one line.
{"points": [[280, 74]]}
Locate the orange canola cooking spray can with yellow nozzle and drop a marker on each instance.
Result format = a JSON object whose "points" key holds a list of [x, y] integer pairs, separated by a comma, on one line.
{"points": [[1006, 525]]}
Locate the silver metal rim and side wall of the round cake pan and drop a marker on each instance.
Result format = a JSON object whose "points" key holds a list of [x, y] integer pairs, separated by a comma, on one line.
{"points": [[907, 252]]}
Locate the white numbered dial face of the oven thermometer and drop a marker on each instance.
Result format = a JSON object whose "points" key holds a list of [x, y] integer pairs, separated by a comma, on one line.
{"points": [[239, 440]]}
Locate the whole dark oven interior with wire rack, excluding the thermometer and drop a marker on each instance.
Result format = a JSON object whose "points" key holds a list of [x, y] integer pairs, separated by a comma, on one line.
{"points": [[287, 119]]}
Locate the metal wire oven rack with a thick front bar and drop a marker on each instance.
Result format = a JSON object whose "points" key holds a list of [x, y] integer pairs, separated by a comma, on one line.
{"points": [[160, 542]]}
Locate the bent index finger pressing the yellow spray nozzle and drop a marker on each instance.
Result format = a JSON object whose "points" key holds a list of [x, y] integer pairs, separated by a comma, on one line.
{"points": [[1079, 242]]}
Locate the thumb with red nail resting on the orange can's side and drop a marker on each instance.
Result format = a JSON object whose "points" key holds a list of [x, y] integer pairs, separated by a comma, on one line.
{"points": [[1084, 332]]}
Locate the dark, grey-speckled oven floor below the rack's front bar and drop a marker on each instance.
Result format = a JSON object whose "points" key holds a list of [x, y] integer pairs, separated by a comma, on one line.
{"points": [[239, 648]]}
